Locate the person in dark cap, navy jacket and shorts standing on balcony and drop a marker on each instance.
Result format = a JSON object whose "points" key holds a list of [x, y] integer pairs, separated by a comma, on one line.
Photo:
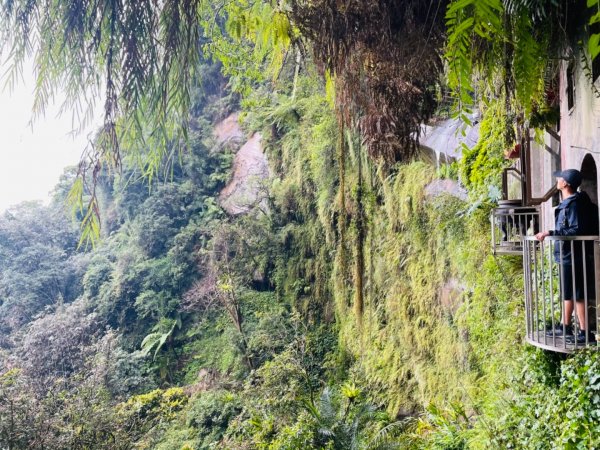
{"points": [[575, 216]]}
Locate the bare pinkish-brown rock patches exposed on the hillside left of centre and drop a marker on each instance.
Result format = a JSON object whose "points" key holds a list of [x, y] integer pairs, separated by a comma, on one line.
{"points": [[247, 187]]}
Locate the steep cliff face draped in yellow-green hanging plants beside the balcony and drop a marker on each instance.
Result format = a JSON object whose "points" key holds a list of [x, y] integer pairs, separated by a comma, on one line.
{"points": [[434, 299]]}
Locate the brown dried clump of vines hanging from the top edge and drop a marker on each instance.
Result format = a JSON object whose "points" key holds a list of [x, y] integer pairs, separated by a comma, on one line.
{"points": [[386, 61]]}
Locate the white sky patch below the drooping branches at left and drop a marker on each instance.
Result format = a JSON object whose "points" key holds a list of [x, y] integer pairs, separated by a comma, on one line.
{"points": [[32, 157]]}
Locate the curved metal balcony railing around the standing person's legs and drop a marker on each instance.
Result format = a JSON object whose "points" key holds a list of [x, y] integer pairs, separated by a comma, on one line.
{"points": [[557, 269]]}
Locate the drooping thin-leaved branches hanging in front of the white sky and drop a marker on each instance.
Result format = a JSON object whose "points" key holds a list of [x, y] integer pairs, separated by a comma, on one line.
{"points": [[140, 58]]}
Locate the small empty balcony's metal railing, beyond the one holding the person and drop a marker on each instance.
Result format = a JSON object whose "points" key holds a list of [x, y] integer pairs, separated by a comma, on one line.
{"points": [[510, 224]]}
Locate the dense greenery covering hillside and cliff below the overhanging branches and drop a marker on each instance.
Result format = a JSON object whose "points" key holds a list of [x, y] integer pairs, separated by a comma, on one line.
{"points": [[189, 328]]}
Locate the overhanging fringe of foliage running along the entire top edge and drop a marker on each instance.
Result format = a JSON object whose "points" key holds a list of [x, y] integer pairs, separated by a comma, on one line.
{"points": [[387, 59]]}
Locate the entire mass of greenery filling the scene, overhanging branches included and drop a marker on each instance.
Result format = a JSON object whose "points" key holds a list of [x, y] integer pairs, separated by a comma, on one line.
{"points": [[349, 308]]}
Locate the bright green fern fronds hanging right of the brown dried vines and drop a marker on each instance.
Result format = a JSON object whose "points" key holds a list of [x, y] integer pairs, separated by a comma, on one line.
{"points": [[509, 44]]}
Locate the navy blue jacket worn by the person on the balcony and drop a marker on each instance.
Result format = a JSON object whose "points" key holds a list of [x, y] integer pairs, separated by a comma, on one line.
{"points": [[575, 216]]}
